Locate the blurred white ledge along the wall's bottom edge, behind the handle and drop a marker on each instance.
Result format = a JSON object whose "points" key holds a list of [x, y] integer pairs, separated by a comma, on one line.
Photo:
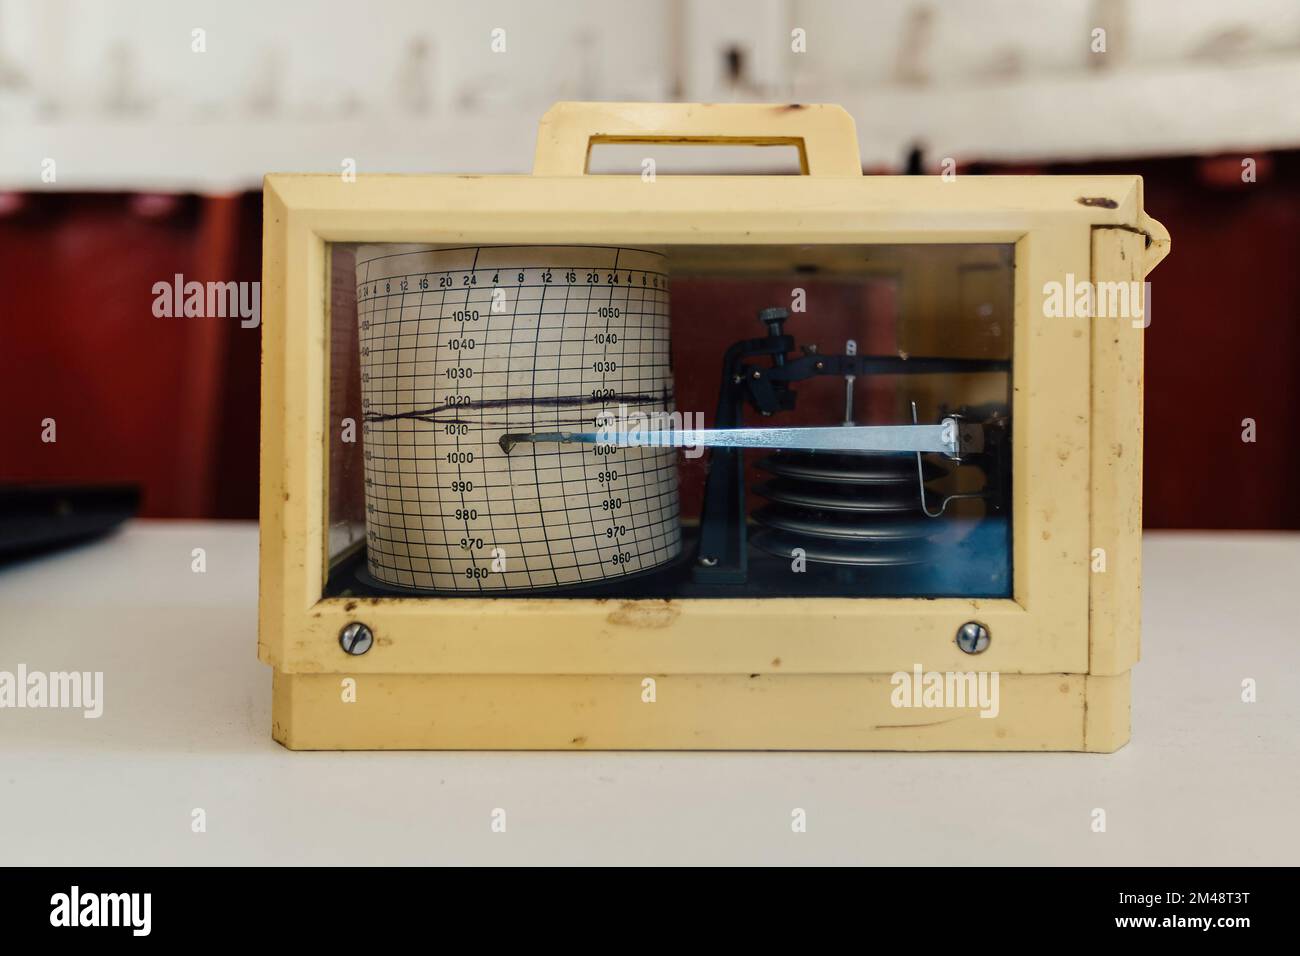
{"points": [[1186, 111]]}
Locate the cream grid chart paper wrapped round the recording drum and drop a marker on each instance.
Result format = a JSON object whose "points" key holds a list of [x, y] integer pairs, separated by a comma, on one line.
{"points": [[463, 345]]}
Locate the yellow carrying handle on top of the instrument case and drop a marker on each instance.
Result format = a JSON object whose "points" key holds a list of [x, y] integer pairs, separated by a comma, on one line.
{"points": [[825, 135]]}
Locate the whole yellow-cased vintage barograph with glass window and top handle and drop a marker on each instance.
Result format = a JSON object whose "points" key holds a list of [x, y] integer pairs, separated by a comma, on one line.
{"points": [[643, 461]]}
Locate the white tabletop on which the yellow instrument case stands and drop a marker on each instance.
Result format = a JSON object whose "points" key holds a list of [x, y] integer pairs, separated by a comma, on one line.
{"points": [[187, 724]]}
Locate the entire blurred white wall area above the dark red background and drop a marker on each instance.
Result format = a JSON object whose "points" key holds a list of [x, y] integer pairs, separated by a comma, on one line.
{"points": [[112, 90]]}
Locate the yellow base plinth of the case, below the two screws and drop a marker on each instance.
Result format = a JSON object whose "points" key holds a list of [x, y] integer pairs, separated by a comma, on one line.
{"points": [[712, 712]]}
